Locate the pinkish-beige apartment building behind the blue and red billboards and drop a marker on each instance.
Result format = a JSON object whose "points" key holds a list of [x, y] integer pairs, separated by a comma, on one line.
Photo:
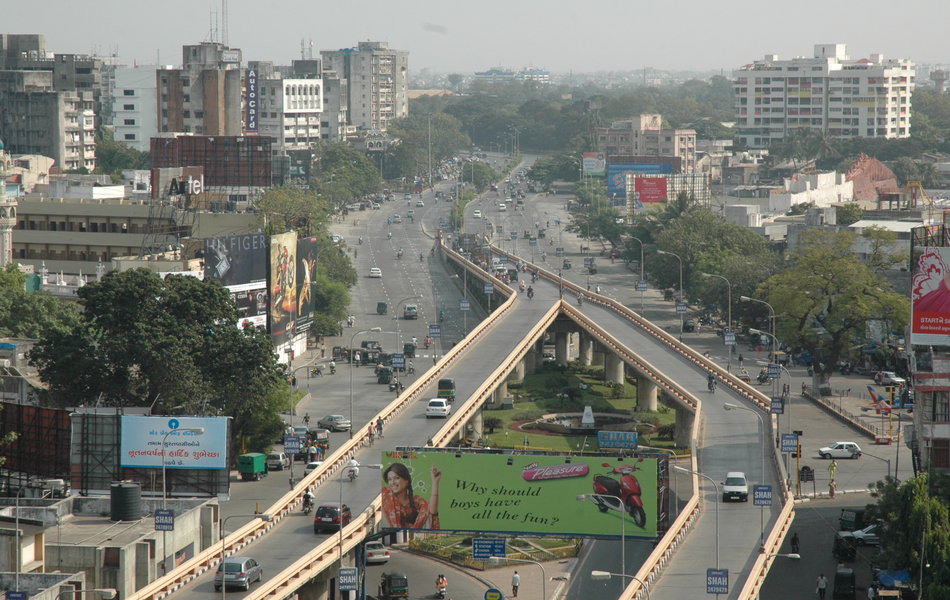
{"points": [[644, 136]]}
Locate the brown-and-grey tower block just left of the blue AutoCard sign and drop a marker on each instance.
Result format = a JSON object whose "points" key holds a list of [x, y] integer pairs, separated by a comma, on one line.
{"points": [[204, 96]]}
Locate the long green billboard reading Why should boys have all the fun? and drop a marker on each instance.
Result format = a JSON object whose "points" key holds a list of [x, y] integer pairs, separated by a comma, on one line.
{"points": [[531, 494]]}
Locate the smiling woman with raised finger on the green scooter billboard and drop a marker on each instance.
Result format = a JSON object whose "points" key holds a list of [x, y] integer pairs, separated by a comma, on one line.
{"points": [[401, 507]]}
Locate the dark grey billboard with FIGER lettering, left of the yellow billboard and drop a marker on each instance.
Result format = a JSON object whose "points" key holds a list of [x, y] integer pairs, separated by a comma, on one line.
{"points": [[236, 259]]}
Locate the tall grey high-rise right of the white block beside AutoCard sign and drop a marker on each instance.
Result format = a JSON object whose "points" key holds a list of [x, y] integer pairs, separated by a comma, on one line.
{"points": [[377, 90]]}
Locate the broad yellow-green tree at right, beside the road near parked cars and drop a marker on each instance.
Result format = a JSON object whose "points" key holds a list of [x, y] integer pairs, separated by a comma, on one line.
{"points": [[827, 298]]}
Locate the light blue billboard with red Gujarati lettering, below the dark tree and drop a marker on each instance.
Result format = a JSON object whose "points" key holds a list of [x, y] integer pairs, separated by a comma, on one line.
{"points": [[140, 443]]}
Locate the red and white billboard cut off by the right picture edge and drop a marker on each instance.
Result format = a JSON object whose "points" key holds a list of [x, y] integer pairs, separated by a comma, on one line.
{"points": [[930, 297]]}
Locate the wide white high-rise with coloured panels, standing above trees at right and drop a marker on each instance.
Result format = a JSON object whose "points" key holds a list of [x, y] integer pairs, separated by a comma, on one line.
{"points": [[829, 92]]}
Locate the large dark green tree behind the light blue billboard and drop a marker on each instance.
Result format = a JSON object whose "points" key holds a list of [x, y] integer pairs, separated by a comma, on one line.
{"points": [[172, 342]]}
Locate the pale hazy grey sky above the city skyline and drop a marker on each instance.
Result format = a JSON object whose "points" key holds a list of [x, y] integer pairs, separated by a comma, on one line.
{"points": [[465, 36]]}
